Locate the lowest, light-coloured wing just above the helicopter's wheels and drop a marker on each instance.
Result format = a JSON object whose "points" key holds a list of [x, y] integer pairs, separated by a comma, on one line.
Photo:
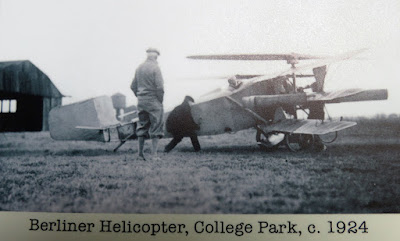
{"points": [[315, 127]]}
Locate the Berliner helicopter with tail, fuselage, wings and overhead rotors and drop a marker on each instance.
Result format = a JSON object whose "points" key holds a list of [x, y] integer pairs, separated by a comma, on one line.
{"points": [[269, 103]]}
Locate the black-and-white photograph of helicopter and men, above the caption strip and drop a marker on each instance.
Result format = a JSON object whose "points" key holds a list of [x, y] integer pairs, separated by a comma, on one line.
{"points": [[200, 107]]}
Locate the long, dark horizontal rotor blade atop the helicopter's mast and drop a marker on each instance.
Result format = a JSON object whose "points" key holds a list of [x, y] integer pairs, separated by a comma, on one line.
{"points": [[258, 57]]}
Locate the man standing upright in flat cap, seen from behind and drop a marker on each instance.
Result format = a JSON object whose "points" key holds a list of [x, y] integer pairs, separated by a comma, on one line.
{"points": [[148, 87]]}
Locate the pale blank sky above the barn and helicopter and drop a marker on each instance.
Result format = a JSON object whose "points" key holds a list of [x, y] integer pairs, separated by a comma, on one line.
{"points": [[92, 48]]}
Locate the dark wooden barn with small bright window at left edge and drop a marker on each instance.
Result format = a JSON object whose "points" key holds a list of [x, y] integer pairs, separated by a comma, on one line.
{"points": [[26, 97]]}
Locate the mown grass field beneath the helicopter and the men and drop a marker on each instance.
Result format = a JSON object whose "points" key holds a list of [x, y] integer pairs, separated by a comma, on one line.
{"points": [[357, 174]]}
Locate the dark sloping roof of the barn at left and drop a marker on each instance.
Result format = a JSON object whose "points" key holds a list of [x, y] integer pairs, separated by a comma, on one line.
{"points": [[25, 78]]}
